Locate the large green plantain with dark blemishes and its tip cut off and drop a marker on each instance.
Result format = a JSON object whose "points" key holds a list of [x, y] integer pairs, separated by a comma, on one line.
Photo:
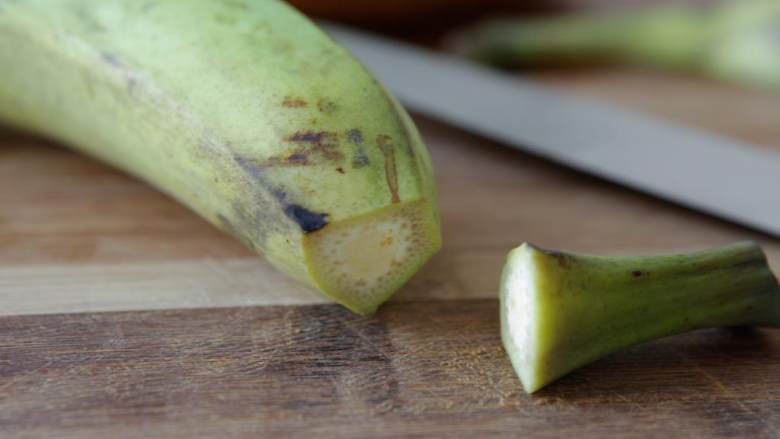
{"points": [[244, 111]]}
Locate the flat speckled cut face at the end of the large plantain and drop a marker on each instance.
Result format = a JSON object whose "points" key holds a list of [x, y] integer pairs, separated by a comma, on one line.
{"points": [[360, 262]]}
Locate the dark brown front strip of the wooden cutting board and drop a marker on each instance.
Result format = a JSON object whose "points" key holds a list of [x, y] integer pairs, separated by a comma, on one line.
{"points": [[415, 369]]}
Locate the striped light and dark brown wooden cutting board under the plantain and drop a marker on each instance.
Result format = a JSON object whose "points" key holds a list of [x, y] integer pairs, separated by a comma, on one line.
{"points": [[123, 315]]}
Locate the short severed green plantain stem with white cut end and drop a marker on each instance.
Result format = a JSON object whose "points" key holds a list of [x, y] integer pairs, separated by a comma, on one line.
{"points": [[560, 311]]}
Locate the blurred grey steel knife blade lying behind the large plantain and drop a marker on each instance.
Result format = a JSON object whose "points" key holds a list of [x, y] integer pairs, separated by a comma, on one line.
{"points": [[724, 177]]}
